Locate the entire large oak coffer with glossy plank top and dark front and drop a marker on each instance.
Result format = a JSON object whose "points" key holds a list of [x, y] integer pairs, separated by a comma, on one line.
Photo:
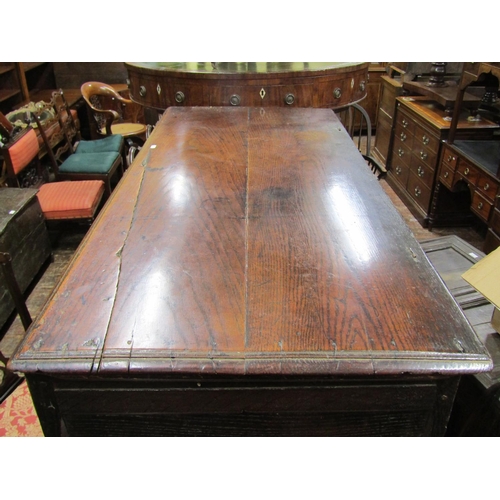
{"points": [[248, 277]]}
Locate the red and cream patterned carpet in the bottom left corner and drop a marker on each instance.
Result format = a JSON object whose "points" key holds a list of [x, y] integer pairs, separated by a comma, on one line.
{"points": [[17, 415]]}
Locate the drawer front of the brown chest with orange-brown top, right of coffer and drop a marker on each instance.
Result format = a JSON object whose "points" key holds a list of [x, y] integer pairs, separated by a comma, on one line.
{"points": [[414, 160]]}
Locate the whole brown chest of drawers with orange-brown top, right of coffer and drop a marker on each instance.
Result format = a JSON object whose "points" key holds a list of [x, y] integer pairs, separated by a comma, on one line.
{"points": [[420, 126]]}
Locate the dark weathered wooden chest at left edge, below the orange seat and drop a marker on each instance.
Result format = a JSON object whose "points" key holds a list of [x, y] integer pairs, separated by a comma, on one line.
{"points": [[24, 236]]}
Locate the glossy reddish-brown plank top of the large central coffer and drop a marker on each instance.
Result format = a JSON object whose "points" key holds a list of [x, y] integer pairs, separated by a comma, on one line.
{"points": [[250, 241]]}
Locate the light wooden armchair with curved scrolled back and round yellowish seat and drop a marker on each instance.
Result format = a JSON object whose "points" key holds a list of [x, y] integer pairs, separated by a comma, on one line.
{"points": [[106, 108]]}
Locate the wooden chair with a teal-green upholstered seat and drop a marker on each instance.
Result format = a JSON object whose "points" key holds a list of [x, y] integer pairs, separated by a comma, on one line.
{"points": [[80, 162]]}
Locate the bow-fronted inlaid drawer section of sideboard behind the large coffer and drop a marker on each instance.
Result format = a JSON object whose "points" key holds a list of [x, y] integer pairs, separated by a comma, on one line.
{"points": [[301, 84]]}
